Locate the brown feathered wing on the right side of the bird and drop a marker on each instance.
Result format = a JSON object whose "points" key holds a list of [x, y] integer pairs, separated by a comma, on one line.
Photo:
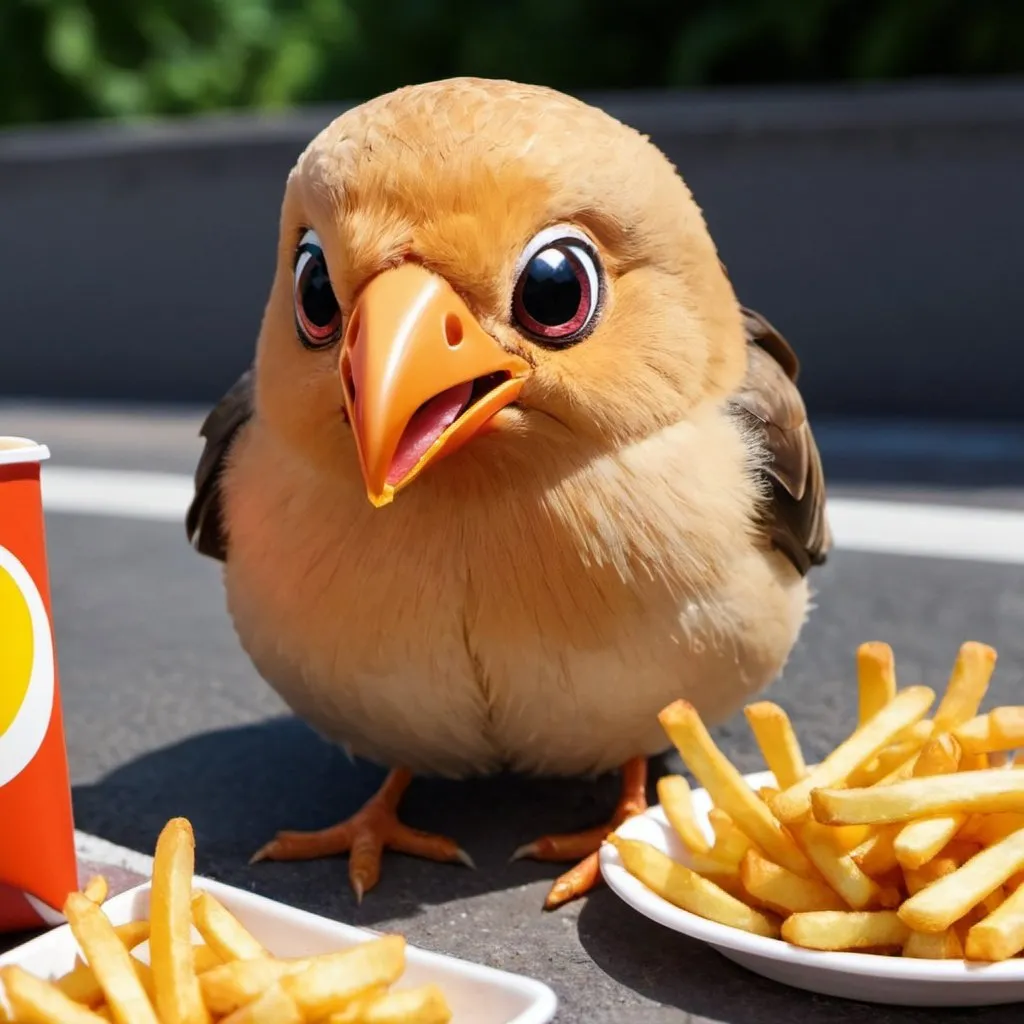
{"points": [[795, 518]]}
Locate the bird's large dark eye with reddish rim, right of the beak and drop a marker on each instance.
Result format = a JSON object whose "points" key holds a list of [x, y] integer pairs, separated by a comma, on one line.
{"points": [[557, 296]]}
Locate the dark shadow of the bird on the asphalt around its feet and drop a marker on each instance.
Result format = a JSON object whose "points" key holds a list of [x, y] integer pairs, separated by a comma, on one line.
{"points": [[239, 787]]}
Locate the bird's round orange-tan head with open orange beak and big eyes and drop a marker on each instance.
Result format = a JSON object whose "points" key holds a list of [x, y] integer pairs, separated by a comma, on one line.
{"points": [[478, 259]]}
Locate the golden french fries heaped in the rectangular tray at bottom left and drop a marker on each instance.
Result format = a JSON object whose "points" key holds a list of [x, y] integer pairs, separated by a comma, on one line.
{"points": [[229, 977]]}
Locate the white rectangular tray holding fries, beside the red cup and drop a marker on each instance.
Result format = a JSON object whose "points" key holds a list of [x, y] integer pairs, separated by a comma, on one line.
{"points": [[478, 995]]}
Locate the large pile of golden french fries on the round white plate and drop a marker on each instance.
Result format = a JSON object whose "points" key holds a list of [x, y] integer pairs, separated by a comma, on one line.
{"points": [[907, 840]]}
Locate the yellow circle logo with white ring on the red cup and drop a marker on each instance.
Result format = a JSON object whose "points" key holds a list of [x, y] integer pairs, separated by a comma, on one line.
{"points": [[26, 668]]}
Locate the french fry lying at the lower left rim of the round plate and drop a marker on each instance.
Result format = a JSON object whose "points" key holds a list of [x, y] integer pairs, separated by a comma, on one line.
{"points": [[687, 889]]}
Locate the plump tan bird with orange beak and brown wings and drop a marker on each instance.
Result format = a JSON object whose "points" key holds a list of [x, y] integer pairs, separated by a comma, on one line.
{"points": [[511, 468]]}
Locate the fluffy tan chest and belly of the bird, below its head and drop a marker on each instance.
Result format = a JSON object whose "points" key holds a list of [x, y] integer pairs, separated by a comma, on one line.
{"points": [[496, 617]]}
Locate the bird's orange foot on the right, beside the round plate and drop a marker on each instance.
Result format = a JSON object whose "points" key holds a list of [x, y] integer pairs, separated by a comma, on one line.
{"points": [[584, 846]]}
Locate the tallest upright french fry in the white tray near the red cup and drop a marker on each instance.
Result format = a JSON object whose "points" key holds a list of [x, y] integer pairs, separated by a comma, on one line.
{"points": [[180, 1000]]}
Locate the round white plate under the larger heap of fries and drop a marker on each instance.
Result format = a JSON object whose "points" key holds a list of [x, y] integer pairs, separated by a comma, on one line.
{"points": [[893, 980]]}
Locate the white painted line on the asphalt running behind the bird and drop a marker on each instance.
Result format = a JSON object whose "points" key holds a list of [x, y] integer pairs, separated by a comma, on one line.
{"points": [[889, 528]]}
